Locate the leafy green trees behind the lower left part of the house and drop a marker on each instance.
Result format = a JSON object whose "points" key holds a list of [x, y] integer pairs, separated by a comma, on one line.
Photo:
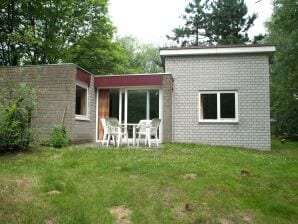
{"points": [[72, 31]]}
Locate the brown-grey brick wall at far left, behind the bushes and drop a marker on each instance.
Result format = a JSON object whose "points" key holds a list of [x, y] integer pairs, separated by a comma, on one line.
{"points": [[55, 86]]}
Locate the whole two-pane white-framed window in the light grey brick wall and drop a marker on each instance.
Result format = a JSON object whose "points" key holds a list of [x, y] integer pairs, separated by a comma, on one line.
{"points": [[218, 106]]}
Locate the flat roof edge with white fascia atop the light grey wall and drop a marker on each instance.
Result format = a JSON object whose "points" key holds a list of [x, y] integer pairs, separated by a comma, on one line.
{"points": [[218, 49]]}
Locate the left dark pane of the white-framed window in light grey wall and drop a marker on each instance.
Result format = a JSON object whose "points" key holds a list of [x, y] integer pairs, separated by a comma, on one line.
{"points": [[208, 106]]}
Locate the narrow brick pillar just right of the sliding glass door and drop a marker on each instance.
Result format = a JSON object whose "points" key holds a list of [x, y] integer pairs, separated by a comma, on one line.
{"points": [[167, 87]]}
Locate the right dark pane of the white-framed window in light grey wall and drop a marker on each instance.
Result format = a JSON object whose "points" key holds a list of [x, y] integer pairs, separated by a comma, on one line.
{"points": [[227, 105]]}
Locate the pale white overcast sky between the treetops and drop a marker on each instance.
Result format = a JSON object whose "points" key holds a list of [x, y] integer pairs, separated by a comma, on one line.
{"points": [[151, 20]]}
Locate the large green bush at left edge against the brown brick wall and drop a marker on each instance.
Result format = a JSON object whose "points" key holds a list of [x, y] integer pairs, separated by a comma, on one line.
{"points": [[17, 104]]}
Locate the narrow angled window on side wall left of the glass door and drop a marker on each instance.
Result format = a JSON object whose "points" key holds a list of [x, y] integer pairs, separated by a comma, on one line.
{"points": [[81, 102]]}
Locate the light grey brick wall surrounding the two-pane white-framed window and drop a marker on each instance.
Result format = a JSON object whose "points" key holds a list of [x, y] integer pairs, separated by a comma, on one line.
{"points": [[249, 74]]}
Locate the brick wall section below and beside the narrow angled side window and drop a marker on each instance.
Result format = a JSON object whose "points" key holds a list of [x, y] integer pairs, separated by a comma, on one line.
{"points": [[85, 130]]}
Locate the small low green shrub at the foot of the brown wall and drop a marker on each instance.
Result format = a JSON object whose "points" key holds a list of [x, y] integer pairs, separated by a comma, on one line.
{"points": [[58, 138]]}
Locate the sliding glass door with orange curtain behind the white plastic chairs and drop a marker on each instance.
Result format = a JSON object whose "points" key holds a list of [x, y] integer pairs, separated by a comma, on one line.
{"points": [[129, 105]]}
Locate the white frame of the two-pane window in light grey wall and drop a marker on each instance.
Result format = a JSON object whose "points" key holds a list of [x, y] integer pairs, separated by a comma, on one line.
{"points": [[219, 119]]}
